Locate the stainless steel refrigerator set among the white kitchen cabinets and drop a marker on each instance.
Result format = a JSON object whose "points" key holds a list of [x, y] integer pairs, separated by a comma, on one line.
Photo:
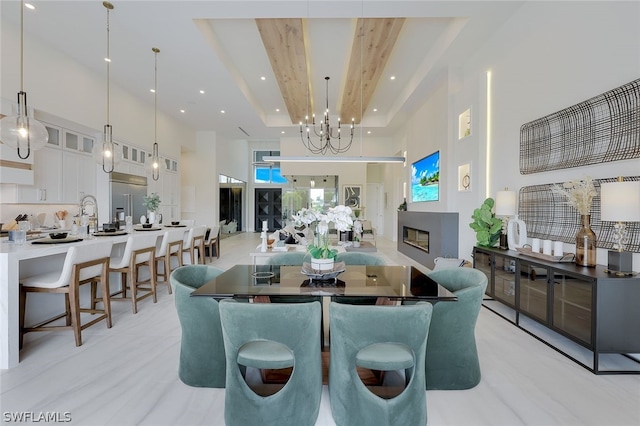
{"points": [[127, 193]]}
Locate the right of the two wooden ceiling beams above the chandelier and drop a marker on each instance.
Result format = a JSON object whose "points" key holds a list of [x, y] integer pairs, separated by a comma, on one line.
{"points": [[372, 46]]}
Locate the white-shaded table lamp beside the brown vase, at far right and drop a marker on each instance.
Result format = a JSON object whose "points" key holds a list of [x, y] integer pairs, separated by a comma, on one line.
{"points": [[620, 202]]}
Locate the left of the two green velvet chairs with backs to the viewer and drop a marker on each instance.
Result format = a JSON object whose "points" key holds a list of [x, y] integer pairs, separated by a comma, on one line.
{"points": [[272, 336]]}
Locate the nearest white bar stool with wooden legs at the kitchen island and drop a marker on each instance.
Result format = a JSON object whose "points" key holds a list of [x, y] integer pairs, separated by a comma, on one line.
{"points": [[82, 265]]}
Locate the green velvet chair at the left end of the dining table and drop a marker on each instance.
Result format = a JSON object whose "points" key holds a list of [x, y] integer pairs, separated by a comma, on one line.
{"points": [[202, 361]]}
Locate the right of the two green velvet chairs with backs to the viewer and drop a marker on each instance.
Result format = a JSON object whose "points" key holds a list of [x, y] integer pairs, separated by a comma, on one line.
{"points": [[382, 338]]}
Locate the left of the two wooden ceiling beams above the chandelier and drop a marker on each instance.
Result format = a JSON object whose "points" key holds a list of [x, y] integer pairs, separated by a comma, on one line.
{"points": [[283, 40]]}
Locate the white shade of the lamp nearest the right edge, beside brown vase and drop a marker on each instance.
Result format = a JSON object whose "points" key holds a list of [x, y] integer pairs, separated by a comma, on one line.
{"points": [[620, 201]]}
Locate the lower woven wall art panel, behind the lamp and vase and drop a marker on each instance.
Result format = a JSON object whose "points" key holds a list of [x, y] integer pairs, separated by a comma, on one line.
{"points": [[549, 216]]}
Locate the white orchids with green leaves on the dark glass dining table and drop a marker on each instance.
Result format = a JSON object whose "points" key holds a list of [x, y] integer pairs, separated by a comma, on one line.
{"points": [[341, 216]]}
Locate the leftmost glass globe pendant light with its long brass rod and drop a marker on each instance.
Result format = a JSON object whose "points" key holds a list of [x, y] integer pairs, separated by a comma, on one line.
{"points": [[20, 131]]}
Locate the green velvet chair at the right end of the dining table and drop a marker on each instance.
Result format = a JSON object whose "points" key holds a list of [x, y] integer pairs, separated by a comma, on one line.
{"points": [[452, 361]]}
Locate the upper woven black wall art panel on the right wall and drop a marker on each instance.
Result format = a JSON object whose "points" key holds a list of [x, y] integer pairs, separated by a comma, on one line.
{"points": [[601, 129]]}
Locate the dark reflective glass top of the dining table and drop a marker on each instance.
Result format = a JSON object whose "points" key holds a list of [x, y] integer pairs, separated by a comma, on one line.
{"points": [[387, 283]]}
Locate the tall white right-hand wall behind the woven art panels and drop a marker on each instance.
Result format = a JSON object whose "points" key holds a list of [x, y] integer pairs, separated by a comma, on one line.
{"points": [[548, 56]]}
